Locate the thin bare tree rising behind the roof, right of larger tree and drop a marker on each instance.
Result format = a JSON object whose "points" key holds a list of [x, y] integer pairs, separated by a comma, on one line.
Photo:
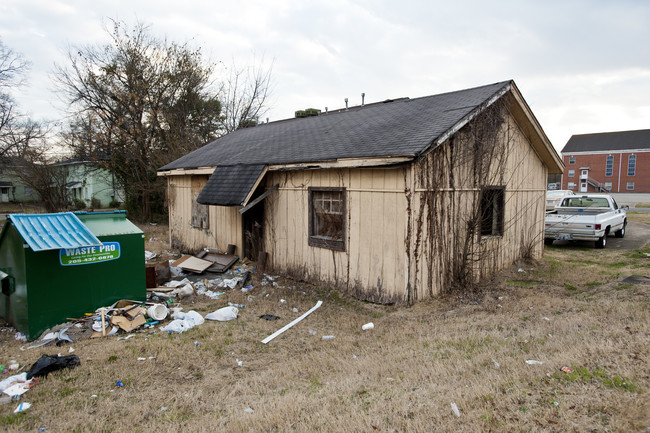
{"points": [[244, 96]]}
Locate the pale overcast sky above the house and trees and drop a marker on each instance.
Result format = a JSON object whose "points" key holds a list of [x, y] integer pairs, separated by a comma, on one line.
{"points": [[582, 66]]}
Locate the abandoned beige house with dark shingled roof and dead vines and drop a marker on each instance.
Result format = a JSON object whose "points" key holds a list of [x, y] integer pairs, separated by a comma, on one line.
{"points": [[392, 202]]}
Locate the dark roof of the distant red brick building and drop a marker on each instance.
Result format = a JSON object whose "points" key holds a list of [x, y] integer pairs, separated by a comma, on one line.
{"points": [[615, 141]]}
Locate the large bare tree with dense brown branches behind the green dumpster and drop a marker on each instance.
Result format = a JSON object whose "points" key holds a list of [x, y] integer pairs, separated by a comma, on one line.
{"points": [[139, 102]]}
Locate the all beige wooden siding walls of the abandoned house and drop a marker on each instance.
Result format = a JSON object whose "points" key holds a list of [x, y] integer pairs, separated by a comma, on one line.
{"points": [[407, 234]]}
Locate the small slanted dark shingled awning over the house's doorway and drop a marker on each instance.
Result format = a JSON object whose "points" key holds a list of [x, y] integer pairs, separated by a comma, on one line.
{"points": [[229, 186]]}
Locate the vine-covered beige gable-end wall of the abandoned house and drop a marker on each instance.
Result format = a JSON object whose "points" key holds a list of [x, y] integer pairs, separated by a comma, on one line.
{"points": [[447, 185]]}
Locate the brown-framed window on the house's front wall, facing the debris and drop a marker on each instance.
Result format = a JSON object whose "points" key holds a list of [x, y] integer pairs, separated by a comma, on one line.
{"points": [[327, 218]]}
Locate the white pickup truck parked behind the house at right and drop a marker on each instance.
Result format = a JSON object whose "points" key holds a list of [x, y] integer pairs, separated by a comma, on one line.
{"points": [[585, 218]]}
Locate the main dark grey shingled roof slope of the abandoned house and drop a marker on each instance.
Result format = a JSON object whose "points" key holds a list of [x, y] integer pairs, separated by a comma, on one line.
{"points": [[400, 128]]}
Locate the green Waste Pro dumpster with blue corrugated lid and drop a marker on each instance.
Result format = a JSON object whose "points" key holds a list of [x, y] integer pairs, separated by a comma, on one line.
{"points": [[59, 266]]}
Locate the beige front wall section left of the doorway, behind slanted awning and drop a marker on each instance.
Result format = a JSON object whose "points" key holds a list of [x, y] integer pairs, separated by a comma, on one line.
{"points": [[225, 223]]}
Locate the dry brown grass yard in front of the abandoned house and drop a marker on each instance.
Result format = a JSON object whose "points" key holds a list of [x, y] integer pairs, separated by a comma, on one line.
{"points": [[570, 309]]}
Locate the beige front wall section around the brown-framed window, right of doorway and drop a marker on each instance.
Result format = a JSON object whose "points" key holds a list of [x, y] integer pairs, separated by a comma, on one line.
{"points": [[373, 266]]}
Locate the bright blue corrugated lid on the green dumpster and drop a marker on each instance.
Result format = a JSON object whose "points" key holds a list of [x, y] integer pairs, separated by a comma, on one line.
{"points": [[44, 232]]}
